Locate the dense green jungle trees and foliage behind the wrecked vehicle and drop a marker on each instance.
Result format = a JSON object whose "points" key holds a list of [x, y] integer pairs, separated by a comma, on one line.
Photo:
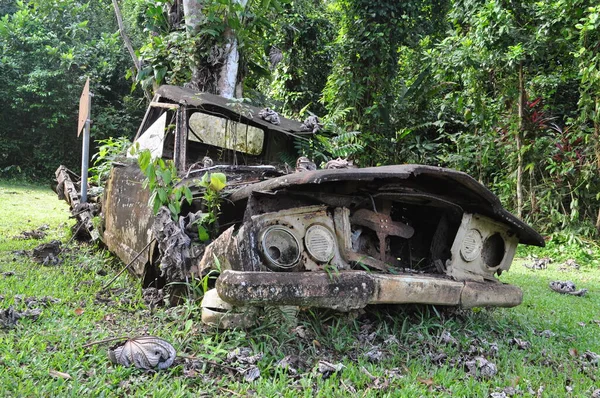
{"points": [[506, 91]]}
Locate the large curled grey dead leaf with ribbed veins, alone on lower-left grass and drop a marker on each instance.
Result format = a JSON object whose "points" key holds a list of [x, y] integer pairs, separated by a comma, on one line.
{"points": [[144, 352]]}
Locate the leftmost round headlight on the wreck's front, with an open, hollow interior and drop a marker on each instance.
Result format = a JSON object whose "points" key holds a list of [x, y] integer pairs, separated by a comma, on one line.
{"points": [[280, 247]]}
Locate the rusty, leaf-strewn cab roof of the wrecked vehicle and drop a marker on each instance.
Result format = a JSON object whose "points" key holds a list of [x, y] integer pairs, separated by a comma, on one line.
{"points": [[230, 108]]}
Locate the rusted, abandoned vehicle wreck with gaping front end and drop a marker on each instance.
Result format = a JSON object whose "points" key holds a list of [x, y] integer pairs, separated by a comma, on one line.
{"points": [[339, 238]]}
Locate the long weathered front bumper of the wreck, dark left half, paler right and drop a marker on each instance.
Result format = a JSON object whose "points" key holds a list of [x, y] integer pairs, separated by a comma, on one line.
{"points": [[347, 290]]}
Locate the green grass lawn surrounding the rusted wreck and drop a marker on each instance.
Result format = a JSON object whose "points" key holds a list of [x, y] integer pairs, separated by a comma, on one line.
{"points": [[416, 359]]}
